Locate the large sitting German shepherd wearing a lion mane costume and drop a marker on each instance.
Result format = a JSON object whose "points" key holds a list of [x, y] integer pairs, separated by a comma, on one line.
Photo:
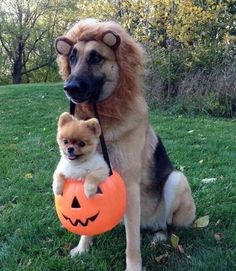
{"points": [[99, 60]]}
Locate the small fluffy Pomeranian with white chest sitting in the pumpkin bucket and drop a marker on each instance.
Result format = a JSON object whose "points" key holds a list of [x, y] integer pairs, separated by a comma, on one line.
{"points": [[78, 140]]}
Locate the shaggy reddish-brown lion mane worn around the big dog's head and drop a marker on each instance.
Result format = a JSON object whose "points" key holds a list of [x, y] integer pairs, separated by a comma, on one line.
{"points": [[129, 58]]}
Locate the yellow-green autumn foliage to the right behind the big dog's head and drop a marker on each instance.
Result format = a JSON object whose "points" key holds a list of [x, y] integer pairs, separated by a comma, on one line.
{"points": [[182, 38]]}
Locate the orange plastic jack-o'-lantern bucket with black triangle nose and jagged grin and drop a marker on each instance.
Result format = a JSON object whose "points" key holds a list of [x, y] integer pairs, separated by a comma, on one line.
{"points": [[95, 215]]}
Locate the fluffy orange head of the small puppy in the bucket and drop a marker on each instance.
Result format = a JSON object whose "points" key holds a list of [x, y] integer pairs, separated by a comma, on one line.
{"points": [[77, 139]]}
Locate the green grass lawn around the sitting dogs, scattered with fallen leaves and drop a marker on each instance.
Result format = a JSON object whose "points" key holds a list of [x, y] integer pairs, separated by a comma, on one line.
{"points": [[30, 234]]}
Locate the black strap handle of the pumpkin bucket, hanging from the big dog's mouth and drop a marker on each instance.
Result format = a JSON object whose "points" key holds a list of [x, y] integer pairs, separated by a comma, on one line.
{"points": [[102, 139]]}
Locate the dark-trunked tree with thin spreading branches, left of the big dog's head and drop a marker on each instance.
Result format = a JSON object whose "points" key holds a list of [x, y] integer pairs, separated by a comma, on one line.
{"points": [[27, 30]]}
